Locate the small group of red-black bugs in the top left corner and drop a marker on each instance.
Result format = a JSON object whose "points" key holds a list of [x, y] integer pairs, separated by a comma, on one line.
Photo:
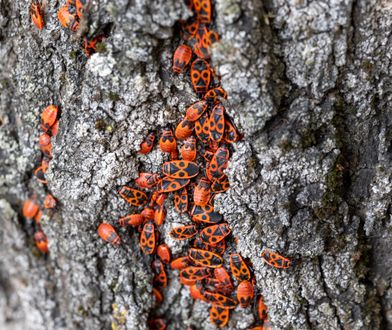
{"points": [[70, 17]]}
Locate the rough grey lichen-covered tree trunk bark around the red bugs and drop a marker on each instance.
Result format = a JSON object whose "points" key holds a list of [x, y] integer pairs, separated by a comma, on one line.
{"points": [[309, 86]]}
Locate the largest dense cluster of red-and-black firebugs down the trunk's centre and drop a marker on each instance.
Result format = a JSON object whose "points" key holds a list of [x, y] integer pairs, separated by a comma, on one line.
{"points": [[194, 175]]}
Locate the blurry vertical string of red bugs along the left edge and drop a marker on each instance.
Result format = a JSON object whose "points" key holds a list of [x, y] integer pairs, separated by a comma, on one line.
{"points": [[31, 207]]}
